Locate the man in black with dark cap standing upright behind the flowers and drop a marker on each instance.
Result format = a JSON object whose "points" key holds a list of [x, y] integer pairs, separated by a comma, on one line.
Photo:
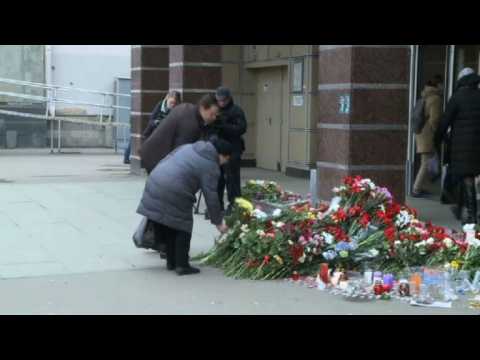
{"points": [[230, 126]]}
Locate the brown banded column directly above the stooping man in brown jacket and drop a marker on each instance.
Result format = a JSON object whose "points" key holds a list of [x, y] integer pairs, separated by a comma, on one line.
{"points": [[195, 70]]}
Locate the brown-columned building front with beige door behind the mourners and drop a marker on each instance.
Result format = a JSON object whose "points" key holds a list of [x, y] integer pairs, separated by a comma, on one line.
{"points": [[340, 109]]}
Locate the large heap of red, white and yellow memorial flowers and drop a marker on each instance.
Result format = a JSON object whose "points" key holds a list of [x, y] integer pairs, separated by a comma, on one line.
{"points": [[362, 226]]}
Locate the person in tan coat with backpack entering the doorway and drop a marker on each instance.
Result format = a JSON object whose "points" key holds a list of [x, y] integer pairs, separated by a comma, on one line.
{"points": [[432, 96]]}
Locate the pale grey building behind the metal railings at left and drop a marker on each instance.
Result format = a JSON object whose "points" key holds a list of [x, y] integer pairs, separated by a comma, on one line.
{"points": [[92, 67]]}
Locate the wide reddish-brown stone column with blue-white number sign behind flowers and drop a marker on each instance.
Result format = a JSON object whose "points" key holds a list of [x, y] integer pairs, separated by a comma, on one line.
{"points": [[363, 115]]}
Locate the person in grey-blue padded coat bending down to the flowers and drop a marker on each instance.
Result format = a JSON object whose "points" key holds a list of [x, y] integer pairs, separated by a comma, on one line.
{"points": [[169, 197]]}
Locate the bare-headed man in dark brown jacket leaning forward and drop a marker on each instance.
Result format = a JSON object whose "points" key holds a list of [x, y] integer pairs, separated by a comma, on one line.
{"points": [[184, 125]]}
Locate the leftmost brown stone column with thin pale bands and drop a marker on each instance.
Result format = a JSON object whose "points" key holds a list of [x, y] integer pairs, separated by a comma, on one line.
{"points": [[149, 85]]}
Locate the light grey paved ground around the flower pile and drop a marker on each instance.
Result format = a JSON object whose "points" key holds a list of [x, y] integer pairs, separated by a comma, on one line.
{"points": [[65, 248]]}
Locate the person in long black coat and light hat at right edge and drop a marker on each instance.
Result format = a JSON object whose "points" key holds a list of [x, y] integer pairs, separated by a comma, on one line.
{"points": [[462, 115]]}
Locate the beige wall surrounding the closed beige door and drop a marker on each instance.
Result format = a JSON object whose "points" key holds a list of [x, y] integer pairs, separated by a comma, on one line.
{"points": [[240, 64]]}
